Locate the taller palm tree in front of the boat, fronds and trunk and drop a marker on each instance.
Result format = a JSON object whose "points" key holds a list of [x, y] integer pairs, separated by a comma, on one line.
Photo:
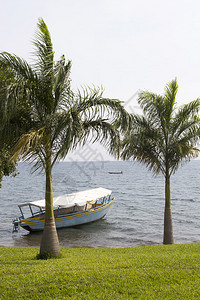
{"points": [[60, 119]]}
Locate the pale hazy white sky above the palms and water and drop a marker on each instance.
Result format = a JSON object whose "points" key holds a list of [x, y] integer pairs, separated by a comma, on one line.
{"points": [[125, 46]]}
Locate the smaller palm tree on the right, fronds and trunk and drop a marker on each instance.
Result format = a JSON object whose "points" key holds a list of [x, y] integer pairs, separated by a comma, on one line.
{"points": [[163, 138]]}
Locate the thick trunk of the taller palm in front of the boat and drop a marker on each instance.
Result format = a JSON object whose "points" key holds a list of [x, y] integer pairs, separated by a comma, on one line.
{"points": [[49, 242]]}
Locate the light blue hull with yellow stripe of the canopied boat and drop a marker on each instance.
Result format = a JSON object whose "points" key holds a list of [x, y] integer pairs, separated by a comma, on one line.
{"points": [[69, 220]]}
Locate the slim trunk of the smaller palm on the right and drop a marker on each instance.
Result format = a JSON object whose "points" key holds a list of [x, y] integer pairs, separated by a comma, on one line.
{"points": [[168, 228]]}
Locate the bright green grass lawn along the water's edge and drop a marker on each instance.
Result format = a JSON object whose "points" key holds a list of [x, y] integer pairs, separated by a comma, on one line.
{"points": [[154, 272]]}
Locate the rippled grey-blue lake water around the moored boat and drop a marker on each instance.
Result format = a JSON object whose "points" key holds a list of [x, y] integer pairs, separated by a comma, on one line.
{"points": [[135, 218]]}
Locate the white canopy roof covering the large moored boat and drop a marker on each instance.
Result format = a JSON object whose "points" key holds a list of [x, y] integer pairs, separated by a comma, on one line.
{"points": [[69, 200]]}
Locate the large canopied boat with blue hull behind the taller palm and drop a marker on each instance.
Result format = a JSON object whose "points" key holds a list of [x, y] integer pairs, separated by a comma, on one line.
{"points": [[69, 210]]}
